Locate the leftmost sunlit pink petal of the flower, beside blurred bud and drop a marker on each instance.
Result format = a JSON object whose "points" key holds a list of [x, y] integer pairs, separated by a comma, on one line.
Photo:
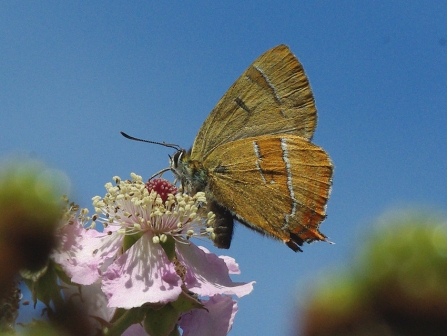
{"points": [[83, 252]]}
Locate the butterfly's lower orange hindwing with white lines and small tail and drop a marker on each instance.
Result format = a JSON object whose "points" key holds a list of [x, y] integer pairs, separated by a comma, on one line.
{"points": [[277, 185]]}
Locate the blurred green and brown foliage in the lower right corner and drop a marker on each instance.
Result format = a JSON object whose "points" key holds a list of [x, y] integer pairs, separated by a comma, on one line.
{"points": [[397, 285]]}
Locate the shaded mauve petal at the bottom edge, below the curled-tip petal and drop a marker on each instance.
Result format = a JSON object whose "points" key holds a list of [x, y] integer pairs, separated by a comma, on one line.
{"points": [[217, 320]]}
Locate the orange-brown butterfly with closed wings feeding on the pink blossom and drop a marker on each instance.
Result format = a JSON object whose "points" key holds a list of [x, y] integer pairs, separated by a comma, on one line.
{"points": [[254, 159]]}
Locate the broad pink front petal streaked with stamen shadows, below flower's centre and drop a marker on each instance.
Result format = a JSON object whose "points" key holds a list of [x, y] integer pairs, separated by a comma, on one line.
{"points": [[142, 274]]}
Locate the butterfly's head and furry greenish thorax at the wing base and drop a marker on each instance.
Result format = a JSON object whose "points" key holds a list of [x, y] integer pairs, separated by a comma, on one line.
{"points": [[191, 173]]}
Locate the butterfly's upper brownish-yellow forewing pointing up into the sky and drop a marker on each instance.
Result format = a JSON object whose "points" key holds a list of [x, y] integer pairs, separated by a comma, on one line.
{"points": [[272, 96]]}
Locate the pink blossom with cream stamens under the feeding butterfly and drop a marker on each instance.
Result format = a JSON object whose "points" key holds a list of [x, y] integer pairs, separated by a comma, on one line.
{"points": [[145, 254]]}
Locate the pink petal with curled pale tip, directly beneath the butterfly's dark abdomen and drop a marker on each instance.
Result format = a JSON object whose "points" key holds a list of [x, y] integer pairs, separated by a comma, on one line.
{"points": [[207, 274]]}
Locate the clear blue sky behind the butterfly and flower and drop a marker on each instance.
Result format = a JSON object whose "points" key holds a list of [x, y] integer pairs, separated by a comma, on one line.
{"points": [[74, 74]]}
